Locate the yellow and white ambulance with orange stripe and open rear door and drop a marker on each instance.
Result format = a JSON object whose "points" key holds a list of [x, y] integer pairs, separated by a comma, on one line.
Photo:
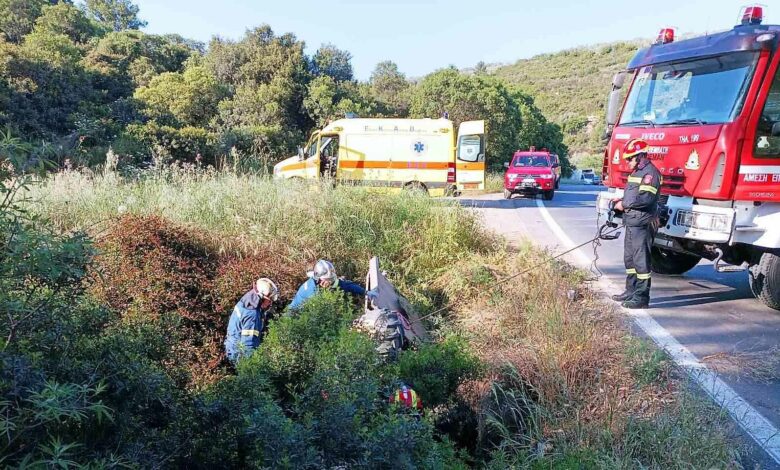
{"points": [[413, 154]]}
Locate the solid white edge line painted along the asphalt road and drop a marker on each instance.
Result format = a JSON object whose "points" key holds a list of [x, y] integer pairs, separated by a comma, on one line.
{"points": [[766, 435]]}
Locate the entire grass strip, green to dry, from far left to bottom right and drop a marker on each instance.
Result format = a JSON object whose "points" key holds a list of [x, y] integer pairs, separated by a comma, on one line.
{"points": [[580, 392]]}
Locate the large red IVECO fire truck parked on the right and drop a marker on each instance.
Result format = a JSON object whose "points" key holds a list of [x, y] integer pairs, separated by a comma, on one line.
{"points": [[709, 107]]}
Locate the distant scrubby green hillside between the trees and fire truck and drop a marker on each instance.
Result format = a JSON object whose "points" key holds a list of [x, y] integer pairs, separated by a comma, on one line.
{"points": [[571, 88]]}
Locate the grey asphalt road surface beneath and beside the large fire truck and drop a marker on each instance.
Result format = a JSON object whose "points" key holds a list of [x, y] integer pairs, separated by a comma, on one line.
{"points": [[714, 315]]}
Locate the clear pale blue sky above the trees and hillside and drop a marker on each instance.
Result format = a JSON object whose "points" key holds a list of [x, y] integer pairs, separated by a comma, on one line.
{"points": [[425, 35]]}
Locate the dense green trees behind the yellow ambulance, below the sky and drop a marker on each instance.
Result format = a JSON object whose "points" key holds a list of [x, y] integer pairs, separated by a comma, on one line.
{"points": [[84, 78]]}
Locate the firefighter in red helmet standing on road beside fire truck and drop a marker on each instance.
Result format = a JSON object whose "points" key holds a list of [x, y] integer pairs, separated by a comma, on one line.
{"points": [[640, 214]]}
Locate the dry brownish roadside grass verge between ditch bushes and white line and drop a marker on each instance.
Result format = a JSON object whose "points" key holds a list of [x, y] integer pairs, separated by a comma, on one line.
{"points": [[592, 386]]}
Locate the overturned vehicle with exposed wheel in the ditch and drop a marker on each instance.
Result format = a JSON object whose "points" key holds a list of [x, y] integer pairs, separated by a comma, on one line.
{"points": [[388, 317]]}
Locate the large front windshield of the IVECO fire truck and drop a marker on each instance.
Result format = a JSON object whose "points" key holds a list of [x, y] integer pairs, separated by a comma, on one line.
{"points": [[702, 91]]}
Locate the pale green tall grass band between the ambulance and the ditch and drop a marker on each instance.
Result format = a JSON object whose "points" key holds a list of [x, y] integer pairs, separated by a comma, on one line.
{"points": [[417, 237]]}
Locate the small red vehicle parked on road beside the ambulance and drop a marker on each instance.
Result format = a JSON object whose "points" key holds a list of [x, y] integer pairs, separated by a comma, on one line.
{"points": [[531, 173]]}
